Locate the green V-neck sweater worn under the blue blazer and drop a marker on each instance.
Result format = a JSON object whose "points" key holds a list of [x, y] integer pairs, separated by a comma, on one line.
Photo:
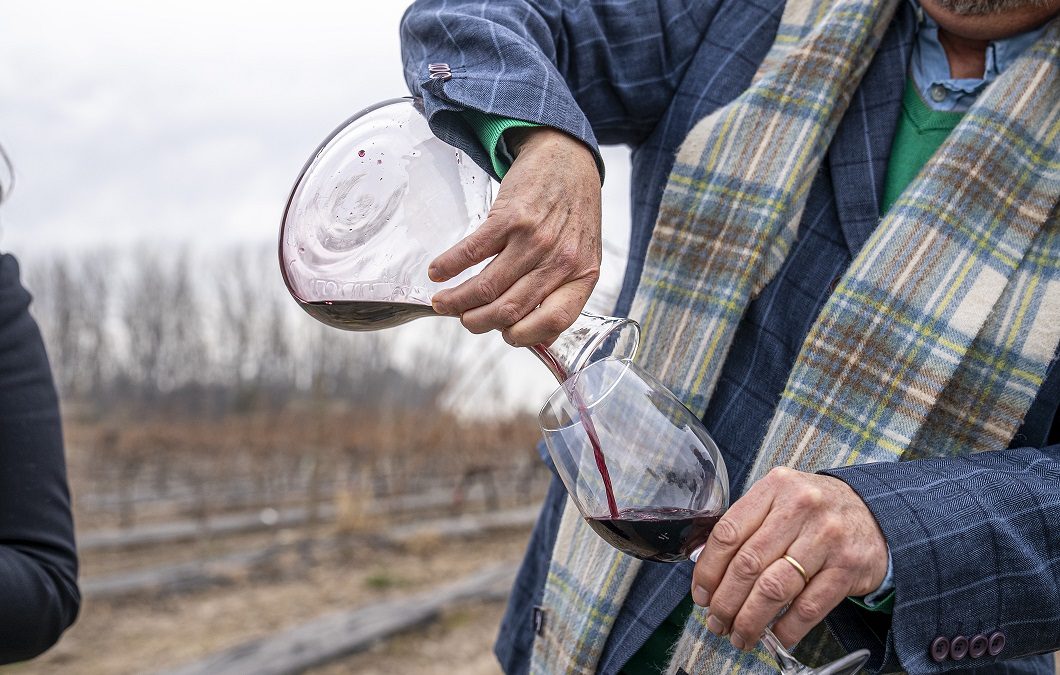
{"points": [[921, 133]]}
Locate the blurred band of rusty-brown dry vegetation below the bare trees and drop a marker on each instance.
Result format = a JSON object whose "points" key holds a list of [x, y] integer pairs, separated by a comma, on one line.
{"points": [[128, 473]]}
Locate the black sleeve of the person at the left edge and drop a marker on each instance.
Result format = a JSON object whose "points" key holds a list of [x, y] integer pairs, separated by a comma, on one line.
{"points": [[39, 563]]}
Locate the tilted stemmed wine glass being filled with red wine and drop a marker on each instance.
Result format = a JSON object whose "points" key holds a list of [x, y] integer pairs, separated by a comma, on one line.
{"points": [[646, 475]]}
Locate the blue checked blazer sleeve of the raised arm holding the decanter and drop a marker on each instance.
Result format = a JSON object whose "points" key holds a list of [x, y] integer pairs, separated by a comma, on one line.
{"points": [[600, 70]]}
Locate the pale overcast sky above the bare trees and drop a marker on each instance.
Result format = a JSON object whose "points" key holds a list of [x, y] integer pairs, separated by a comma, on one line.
{"points": [[172, 122]]}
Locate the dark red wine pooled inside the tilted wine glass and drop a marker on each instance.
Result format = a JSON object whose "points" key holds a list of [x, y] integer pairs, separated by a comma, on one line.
{"points": [[659, 535]]}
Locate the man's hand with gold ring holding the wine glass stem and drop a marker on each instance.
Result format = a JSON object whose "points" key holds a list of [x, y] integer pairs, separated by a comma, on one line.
{"points": [[819, 521]]}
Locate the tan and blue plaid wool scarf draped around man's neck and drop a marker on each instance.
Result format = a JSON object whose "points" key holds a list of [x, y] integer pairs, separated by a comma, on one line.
{"points": [[937, 341]]}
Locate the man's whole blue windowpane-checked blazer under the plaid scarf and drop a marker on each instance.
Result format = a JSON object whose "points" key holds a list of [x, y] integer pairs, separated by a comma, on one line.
{"points": [[976, 541]]}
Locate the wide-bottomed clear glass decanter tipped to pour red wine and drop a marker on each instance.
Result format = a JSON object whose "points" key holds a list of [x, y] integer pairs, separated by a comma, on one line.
{"points": [[378, 201]]}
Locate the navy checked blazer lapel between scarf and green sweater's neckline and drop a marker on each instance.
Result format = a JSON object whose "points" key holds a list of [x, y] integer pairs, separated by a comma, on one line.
{"points": [[861, 148]]}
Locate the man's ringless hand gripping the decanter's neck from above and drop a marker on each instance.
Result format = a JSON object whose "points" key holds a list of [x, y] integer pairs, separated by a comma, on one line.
{"points": [[544, 229]]}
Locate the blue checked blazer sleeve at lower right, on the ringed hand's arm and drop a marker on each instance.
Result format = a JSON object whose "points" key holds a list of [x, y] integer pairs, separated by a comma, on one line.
{"points": [[976, 546]]}
